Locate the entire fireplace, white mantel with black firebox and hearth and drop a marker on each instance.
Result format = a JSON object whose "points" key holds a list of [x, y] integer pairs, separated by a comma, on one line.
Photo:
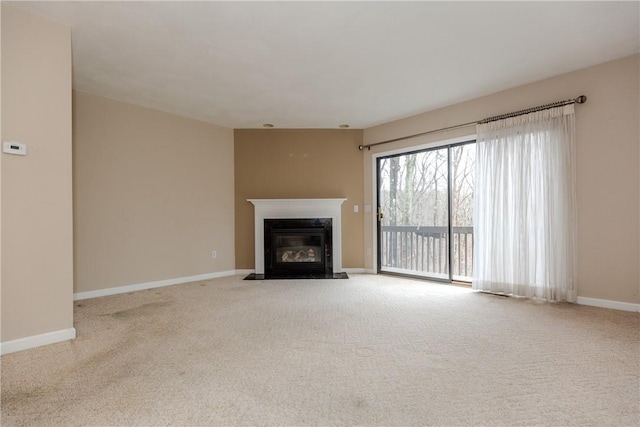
{"points": [[308, 212]]}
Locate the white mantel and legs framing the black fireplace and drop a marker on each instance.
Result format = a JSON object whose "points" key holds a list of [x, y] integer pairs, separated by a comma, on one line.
{"points": [[302, 209]]}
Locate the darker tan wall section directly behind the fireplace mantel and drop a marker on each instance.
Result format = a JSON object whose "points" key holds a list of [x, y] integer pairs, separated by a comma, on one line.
{"points": [[299, 163]]}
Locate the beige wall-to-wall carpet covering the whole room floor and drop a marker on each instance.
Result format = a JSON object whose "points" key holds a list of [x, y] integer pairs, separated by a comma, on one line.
{"points": [[370, 350]]}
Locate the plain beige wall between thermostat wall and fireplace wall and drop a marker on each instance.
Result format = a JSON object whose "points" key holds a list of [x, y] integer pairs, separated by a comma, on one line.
{"points": [[153, 195]]}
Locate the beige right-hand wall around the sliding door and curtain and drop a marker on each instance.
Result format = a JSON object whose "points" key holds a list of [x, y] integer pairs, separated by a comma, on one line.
{"points": [[608, 190]]}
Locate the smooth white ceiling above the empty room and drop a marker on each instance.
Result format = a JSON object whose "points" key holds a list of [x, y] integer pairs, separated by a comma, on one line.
{"points": [[322, 64]]}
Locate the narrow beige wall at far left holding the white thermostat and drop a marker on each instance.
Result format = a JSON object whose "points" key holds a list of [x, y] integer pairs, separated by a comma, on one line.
{"points": [[37, 253]]}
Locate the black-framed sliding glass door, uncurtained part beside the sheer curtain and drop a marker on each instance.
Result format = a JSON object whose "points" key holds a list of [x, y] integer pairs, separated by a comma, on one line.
{"points": [[425, 212]]}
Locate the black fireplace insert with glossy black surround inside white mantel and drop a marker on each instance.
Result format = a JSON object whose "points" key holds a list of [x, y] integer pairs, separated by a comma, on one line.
{"points": [[297, 247]]}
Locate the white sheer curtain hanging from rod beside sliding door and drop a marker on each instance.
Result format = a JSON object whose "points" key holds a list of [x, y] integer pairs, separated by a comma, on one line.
{"points": [[525, 208]]}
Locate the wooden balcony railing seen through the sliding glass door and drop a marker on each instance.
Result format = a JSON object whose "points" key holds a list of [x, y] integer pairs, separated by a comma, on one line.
{"points": [[424, 249]]}
